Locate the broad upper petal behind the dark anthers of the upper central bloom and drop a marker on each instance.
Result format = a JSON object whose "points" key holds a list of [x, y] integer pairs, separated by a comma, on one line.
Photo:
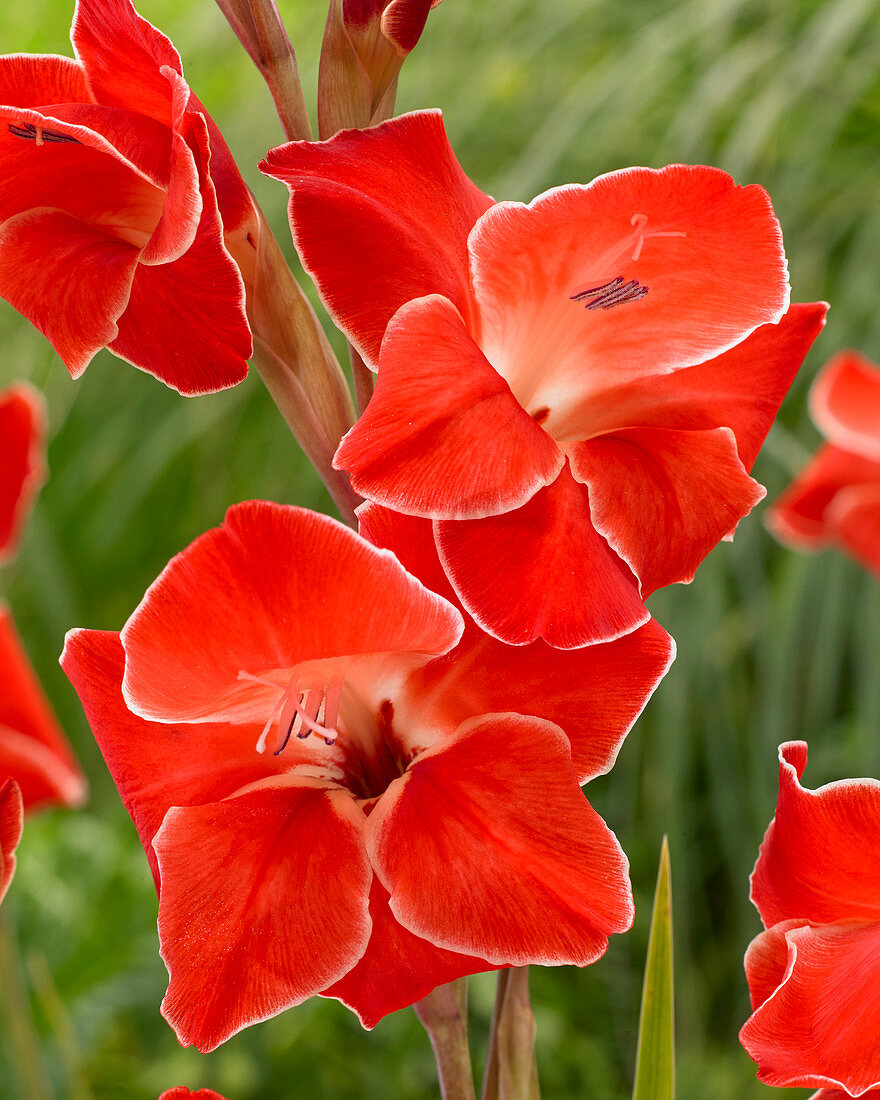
{"points": [[713, 282]]}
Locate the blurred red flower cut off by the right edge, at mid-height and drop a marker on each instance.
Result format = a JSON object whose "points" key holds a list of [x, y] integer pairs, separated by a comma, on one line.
{"points": [[837, 500]]}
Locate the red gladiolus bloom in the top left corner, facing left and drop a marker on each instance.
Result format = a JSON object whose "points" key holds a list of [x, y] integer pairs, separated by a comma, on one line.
{"points": [[122, 207]]}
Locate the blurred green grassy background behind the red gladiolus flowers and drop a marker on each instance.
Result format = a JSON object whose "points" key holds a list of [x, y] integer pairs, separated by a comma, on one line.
{"points": [[772, 646]]}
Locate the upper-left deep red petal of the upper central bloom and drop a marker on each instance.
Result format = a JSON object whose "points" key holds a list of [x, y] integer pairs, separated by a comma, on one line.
{"points": [[391, 204]]}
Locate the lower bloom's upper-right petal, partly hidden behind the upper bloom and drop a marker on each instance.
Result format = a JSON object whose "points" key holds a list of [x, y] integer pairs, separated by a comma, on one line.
{"points": [[595, 694]]}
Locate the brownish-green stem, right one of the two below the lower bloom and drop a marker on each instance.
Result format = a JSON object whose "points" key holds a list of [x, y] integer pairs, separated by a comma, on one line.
{"points": [[512, 1072]]}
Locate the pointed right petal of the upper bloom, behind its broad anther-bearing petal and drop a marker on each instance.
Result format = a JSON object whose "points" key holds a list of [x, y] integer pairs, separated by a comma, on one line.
{"points": [[741, 390]]}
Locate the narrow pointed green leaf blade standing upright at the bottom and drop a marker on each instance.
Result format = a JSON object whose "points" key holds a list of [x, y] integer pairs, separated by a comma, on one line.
{"points": [[656, 1058]]}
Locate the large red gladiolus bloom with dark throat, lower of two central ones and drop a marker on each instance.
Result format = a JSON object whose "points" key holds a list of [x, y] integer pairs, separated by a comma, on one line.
{"points": [[332, 804]]}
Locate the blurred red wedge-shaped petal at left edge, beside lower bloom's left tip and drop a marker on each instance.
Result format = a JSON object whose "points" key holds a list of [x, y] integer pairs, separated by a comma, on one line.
{"points": [[34, 750]]}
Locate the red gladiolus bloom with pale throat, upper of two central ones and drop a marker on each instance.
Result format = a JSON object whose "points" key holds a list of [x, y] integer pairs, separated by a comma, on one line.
{"points": [[574, 391]]}
